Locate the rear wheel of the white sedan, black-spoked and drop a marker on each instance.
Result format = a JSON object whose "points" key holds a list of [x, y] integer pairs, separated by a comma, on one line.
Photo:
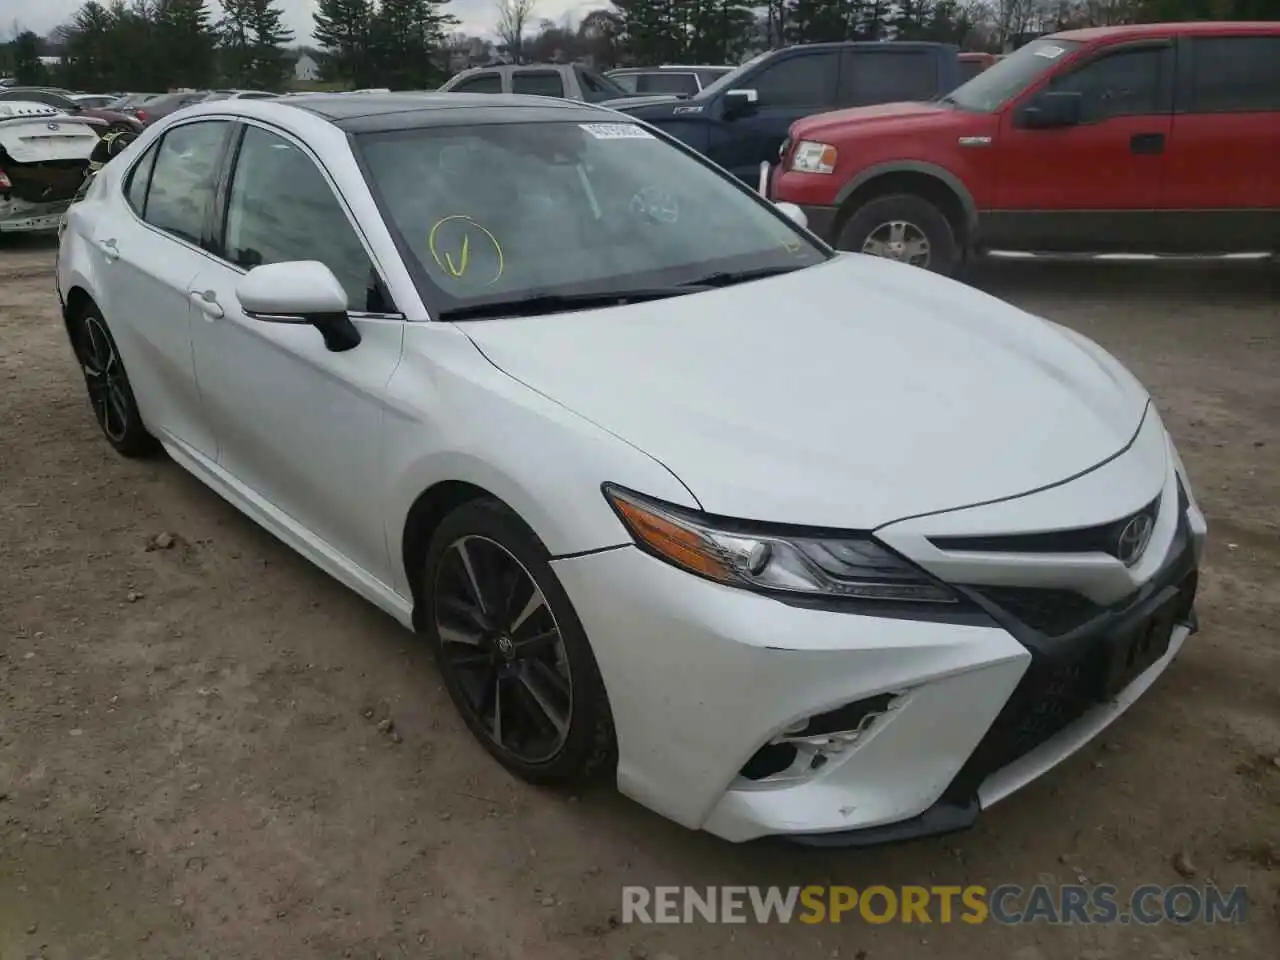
{"points": [[108, 385]]}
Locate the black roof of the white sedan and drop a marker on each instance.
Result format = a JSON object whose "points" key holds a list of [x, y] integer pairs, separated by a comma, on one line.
{"points": [[372, 113]]}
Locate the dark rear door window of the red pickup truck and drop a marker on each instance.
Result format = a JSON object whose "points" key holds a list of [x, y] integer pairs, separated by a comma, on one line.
{"points": [[1235, 75]]}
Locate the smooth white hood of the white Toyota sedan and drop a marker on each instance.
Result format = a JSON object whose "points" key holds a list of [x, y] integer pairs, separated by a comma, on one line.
{"points": [[847, 395]]}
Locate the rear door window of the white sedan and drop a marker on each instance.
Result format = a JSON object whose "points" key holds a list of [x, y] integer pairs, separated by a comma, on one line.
{"points": [[185, 177]]}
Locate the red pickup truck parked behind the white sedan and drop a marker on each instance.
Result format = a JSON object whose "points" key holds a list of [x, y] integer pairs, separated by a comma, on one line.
{"points": [[1158, 139]]}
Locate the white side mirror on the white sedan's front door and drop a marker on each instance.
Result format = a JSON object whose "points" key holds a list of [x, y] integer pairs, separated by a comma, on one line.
{"points": [[300, 292]]}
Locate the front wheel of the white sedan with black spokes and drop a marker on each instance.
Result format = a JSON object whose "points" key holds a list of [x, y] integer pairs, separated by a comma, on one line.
{"points": [[511, 651]]}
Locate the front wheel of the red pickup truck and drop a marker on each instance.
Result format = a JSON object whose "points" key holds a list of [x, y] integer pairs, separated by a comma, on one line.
{"points": [[903, 227]]}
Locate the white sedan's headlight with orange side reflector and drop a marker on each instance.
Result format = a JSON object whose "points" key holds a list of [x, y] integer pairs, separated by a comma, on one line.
{"points": [[757, 559]]}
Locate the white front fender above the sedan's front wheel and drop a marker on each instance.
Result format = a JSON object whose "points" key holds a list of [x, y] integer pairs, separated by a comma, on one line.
{"points": [[454, 417]]}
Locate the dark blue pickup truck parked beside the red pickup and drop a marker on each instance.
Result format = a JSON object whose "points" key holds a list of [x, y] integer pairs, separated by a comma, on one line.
{"points": [[742, 120]]}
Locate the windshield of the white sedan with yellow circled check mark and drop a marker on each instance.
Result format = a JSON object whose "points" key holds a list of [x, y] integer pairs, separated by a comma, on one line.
{"points": [[493, 214]]}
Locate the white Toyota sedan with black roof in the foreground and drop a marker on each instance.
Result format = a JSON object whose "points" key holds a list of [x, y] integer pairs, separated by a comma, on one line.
{"points": [[784, 541]]}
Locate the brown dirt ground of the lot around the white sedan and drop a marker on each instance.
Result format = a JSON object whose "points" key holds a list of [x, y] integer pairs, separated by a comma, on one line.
{"points": [[188, 769]]}
